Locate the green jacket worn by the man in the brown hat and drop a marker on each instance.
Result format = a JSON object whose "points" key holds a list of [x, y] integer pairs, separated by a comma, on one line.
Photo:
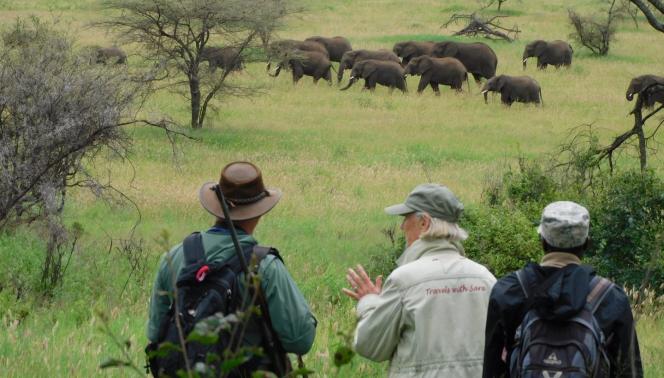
{"points": [[291, 317]]}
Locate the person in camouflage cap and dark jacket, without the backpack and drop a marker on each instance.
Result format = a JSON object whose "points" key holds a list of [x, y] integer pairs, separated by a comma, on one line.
{"points": [[561, 285]]}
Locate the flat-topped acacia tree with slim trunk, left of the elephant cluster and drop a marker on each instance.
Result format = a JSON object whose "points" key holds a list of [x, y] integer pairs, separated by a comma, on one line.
{"points": [[173, 34]]}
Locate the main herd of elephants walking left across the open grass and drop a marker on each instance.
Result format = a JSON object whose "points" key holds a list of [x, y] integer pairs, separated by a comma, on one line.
{"points": [[446, 63]]}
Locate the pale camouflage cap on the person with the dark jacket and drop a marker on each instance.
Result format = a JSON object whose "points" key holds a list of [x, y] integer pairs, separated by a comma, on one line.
{"points": [[564, 224]]}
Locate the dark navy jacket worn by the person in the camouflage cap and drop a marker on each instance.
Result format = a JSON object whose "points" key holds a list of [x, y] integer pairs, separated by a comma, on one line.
{"points": [[507, 307]]}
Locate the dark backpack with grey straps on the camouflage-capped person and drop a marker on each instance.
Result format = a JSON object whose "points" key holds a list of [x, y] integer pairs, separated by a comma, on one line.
{"points": [[571, 348]]}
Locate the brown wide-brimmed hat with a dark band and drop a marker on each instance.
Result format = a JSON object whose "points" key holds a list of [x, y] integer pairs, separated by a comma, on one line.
{"points": [[242, 185]]}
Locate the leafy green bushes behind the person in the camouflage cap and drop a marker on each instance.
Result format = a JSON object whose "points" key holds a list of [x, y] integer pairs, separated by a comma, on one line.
{"points": [[626, 213]]}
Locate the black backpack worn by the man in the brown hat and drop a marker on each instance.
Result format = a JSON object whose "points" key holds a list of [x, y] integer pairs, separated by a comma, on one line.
{"points": [[204, 289]]}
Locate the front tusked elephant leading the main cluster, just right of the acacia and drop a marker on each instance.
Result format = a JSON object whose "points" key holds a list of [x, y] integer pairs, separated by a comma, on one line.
{"points": [[309, 63]]}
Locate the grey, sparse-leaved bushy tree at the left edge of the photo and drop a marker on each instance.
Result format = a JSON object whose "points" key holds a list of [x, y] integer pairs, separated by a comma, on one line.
{"points": [[56, 112]]}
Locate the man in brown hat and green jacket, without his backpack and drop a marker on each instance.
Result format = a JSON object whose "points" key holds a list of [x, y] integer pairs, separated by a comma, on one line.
{"points": [[247, 198]]}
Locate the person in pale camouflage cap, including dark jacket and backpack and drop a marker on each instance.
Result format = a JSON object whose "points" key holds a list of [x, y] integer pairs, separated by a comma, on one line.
{"points": [[544, 305]]}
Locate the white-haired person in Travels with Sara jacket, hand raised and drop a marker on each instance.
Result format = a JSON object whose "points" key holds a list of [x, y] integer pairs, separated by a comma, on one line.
{"points": [[428, 319]]}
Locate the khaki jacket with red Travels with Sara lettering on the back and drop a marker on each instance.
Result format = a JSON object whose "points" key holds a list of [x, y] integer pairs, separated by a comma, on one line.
{"points": [[429, 318]]}
